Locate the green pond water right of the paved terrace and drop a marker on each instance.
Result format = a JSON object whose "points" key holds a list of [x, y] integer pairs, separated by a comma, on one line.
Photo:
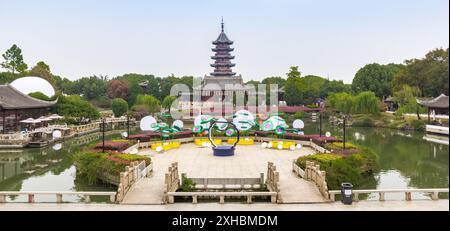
{"points": [[406, 160]]}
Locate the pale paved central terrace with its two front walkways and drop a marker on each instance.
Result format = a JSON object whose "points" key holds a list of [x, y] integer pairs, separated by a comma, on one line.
{"points": [[249, 161]]}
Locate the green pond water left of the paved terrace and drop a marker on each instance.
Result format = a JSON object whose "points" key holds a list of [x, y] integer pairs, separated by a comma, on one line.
{"points": [[47, 169]]}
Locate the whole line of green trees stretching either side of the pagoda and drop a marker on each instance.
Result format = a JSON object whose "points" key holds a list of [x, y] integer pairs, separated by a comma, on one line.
{"points": [[140, 93]]}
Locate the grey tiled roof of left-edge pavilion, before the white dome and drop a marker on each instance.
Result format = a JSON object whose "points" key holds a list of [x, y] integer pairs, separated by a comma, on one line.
{"points": [[11, 98]]}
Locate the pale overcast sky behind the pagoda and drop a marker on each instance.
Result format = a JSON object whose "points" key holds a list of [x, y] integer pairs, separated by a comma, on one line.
{"points": [[327, 38]]}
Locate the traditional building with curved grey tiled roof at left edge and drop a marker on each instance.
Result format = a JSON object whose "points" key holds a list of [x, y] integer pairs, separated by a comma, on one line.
{"points": [[16, 106]]}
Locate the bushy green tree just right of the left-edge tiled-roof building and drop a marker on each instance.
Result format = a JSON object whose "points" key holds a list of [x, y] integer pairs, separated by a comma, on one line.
{"points": [[74, 106]]}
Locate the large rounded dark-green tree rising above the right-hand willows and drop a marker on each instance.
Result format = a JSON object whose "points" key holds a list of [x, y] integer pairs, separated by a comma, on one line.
{"points": [[376, 78]]}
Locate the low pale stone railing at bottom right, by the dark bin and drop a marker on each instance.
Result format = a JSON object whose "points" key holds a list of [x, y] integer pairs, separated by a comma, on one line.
{"points": [[381, 192]]}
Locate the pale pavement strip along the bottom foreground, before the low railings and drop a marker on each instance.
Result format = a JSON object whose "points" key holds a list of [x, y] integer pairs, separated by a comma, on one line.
{"points": [[419, 205]]}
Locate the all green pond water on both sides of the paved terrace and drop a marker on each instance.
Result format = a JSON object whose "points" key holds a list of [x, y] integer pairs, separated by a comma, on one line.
{"points": [[406, 161]]}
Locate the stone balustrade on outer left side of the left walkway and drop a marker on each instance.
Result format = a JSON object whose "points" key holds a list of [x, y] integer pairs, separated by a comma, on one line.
{"points": [[130, 176]]}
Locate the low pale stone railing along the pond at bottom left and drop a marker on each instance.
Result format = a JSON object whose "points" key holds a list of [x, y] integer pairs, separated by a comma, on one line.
{"points": [[59, 195]]}
